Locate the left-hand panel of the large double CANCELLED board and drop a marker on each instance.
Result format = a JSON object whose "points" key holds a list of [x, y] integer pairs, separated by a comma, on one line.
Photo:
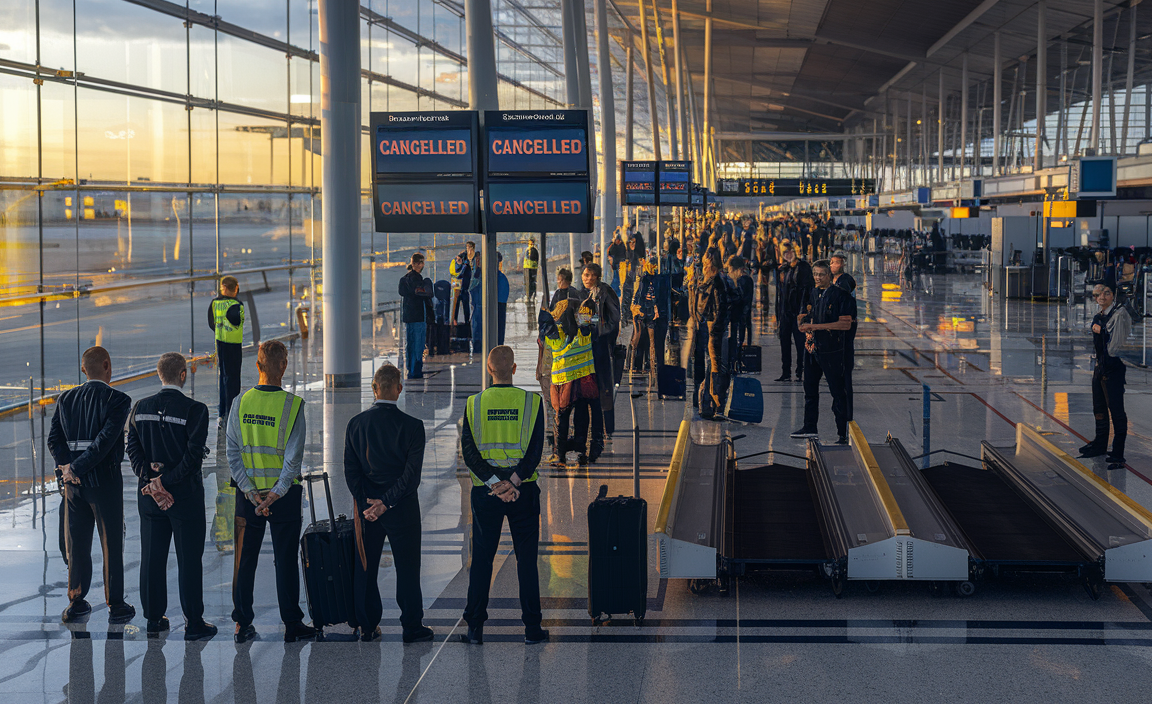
{"points": [[426, 172]]}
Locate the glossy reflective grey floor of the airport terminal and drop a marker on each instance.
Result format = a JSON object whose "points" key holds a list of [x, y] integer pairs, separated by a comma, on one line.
{"points": [[987, 366]]}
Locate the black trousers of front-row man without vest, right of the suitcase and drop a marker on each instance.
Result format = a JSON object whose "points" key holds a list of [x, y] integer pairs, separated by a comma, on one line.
{"points": [[401, 526]]}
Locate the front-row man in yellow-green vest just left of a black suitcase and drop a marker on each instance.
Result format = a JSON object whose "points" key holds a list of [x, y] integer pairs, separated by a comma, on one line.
{"points": [[267, 436]]}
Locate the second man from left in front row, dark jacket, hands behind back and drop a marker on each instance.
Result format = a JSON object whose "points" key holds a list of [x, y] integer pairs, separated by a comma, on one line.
{"points": [[166, 445]]}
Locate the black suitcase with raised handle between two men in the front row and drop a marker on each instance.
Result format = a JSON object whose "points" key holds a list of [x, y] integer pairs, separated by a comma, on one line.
{"points": [[328, 550]]}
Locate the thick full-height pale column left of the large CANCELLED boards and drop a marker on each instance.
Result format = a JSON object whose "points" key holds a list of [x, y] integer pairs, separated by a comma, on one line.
{"points": [[340, 131]]}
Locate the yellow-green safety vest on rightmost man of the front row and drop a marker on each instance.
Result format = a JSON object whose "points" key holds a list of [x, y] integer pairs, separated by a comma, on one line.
{"points": [[503, 420]]}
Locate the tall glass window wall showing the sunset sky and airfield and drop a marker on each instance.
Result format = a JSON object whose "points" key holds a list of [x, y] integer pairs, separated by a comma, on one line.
{"points": [[163, 145]]}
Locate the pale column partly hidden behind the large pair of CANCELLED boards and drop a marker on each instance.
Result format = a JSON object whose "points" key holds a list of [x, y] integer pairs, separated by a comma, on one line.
{"points": [[483, 96]]}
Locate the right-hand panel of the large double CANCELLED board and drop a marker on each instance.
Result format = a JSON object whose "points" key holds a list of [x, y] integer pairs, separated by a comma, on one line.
{"points": [[537, 171]]}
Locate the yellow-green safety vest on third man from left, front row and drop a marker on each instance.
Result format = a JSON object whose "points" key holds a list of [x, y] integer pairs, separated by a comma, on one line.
{"points": [[267, 419]]}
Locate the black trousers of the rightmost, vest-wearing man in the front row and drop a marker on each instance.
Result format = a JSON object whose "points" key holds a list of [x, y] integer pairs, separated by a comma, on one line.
{"points": [[525, 524]]}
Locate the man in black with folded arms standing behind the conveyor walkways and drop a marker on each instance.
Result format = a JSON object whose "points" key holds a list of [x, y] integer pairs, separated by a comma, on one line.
{"points": [[828, 319]]}
